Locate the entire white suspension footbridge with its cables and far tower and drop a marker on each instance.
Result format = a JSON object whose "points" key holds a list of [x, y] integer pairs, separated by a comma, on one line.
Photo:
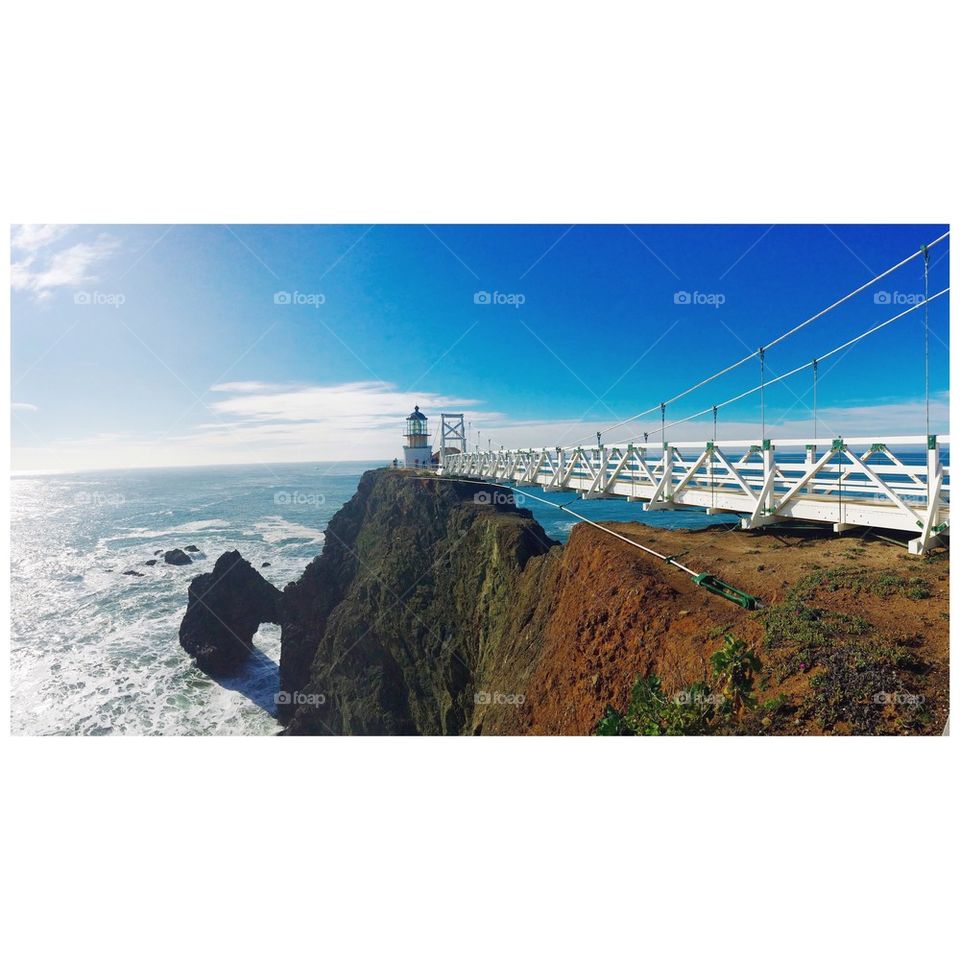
{"points": [[847, 482]]}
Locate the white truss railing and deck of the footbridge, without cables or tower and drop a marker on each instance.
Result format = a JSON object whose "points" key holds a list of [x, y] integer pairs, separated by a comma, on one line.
{"points": [[900, 483]]}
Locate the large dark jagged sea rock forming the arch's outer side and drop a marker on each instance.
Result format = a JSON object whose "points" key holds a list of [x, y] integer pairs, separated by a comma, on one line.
{"points": [[224, 610]]}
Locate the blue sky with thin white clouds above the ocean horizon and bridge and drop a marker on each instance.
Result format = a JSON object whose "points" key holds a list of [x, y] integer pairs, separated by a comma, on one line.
{"points": [[157, 345]]}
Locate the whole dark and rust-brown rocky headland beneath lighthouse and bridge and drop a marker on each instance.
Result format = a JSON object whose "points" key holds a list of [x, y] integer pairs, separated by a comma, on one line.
{"points": [[440, 608]]}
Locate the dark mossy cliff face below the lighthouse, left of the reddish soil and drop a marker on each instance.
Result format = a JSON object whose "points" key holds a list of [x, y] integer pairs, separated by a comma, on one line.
{"points": [[409, 616]]}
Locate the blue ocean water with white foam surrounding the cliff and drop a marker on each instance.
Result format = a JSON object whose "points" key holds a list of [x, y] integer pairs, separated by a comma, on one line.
{"points": [[96, 652]]}
